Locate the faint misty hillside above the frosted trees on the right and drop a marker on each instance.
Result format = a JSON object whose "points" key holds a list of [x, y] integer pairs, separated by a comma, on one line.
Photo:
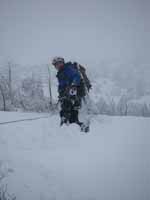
{"points": [[134, 74]]}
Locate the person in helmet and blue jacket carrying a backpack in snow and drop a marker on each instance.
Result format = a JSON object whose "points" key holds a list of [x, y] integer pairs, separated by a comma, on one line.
{"points": [[72, 87]]}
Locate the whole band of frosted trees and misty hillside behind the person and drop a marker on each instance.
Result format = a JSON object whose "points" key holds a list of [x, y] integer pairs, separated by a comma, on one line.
{"points": [[27, 94]]}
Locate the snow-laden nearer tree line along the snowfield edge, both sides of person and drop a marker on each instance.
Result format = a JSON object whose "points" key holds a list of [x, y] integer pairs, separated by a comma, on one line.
{"points": [[29, 96]]}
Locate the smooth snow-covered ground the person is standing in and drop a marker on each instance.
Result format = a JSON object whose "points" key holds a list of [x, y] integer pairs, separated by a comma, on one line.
{"points": [[39, 160]]}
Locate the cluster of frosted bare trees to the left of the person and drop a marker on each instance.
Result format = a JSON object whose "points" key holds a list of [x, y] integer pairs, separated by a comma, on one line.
{"points": [[28, 95]]}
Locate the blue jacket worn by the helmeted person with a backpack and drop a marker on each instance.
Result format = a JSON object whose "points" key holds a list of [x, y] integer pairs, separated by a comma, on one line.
{"points": [[67, 76]]}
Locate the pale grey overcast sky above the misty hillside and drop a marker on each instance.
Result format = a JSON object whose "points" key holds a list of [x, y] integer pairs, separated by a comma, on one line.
{"points": [[33, 31]]}
